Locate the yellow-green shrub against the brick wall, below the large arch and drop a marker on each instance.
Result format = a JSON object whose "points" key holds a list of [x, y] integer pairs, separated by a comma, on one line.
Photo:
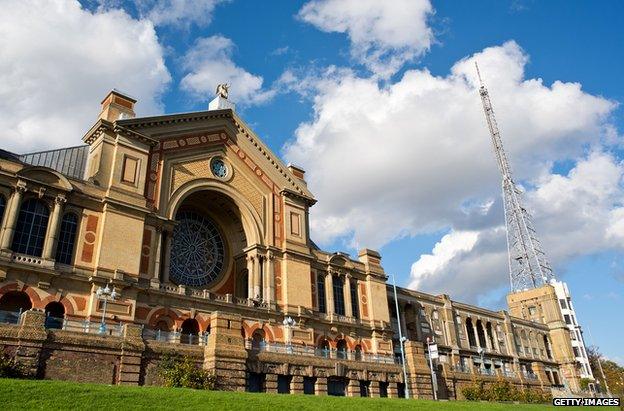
{"points": [[179, 371]]}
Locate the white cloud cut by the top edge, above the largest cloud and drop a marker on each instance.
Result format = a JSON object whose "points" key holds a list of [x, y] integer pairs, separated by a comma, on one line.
{"points": [[383, 35]]}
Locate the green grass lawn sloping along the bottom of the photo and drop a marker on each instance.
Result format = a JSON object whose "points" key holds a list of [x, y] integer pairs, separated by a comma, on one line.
{"points": [[34, 394]]}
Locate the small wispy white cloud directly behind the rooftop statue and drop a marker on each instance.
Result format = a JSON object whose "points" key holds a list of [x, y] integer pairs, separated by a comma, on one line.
{"points": [[209, 63]]}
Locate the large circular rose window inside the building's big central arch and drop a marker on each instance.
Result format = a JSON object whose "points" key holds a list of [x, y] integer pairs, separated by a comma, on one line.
{"points": [[197, 250]]}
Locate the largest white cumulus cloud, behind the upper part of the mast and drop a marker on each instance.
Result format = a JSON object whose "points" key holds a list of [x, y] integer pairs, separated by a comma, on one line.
{"points": [[420, 158]]}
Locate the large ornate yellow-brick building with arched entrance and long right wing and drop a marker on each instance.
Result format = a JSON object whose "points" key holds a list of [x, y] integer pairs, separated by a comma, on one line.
{"points": [[204, 235]]}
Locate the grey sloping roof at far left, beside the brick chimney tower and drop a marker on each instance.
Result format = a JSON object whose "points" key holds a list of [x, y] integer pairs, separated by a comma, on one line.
{"points": [[70, 161]]}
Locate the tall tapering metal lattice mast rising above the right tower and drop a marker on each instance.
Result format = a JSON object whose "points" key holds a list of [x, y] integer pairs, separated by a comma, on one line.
{"points": [[528, 265]]}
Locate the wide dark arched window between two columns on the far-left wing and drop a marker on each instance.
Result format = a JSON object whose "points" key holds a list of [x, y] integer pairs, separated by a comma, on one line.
{"points": [[32, 223]]}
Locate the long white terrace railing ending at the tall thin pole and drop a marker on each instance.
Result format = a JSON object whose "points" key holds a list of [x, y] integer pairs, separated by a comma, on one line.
{"points": [[295, 349]]}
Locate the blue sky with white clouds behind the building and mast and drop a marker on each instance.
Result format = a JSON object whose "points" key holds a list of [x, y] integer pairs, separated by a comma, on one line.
{"points": [[379, 106]]}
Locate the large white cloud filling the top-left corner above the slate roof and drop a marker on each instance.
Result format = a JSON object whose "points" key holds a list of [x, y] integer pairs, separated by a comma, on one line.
{"points": [[57, 63]]}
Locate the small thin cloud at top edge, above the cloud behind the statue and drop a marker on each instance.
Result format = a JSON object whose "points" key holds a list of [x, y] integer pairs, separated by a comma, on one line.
{"points": [[178, 12]]}
